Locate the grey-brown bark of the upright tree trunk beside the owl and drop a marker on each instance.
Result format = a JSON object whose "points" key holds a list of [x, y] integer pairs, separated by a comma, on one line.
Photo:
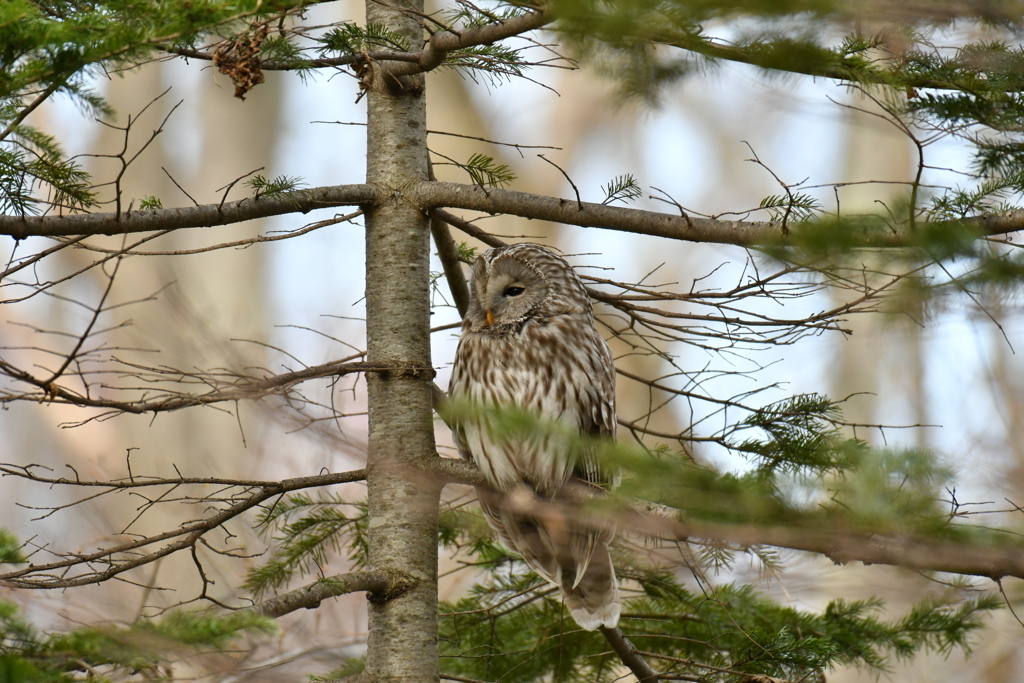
{"points": [[403, 508]]}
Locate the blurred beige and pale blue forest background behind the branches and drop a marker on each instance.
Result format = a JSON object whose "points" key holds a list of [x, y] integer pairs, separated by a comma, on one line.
{"points": [[953, 369]]}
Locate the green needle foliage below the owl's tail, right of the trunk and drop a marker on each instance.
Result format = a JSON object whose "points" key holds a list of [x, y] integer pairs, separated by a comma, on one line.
{"points": [[514, 627]]}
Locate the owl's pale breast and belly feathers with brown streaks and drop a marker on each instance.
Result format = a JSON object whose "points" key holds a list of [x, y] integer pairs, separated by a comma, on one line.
{"points": [[559, 369]]}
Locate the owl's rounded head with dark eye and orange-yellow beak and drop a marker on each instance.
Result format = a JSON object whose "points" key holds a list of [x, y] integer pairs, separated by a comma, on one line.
{"points": [[511, 285]]}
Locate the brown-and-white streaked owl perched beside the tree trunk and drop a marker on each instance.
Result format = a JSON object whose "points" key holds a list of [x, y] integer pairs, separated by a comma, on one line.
{"points": [[529, 341]]}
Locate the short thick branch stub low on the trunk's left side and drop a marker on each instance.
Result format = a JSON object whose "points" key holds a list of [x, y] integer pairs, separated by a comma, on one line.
{"points": [[386, 583]]}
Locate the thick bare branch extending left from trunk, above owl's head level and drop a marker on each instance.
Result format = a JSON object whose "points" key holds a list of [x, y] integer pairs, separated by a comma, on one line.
{"points": [[207, 216]]}
